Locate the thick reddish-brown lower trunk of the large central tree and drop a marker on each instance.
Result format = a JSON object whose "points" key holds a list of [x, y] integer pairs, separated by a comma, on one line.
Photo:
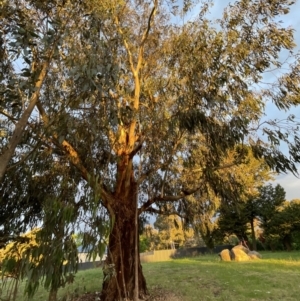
{"points": [[119, 269]]}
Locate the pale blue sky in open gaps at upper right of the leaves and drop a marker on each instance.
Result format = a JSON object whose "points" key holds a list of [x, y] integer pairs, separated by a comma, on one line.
{"points": [[288, 181]]}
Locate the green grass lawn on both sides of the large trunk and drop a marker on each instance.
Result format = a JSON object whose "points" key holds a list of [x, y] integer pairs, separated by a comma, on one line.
{"points": [[204, 278]]}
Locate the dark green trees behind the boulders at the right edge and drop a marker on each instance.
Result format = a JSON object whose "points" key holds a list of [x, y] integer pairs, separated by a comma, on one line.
{"points": [[277, 219]]}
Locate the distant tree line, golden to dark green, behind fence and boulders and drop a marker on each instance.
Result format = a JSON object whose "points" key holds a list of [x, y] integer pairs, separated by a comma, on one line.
{"points": [[264, 222]]}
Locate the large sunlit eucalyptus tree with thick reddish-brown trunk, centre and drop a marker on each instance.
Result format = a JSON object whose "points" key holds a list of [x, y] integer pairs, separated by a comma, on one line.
{"points": [[130, 94]]}
